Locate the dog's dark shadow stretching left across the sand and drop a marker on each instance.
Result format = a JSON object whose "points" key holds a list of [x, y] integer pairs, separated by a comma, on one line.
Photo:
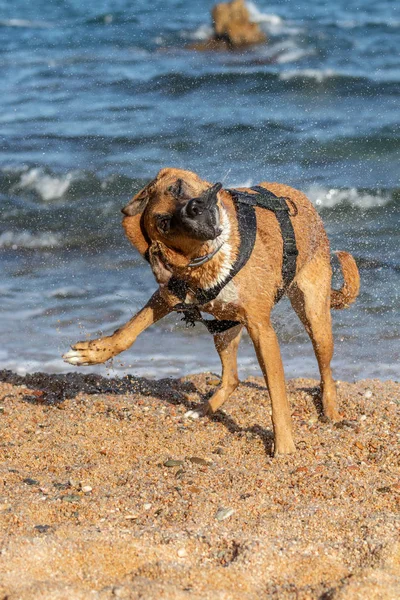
{"points": [[52, 390]]}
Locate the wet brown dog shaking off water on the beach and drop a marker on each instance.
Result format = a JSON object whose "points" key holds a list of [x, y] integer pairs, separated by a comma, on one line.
{"points": [[190, 233]]}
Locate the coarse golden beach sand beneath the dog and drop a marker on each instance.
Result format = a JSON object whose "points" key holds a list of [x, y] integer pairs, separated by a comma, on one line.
{"points": [[88, 508]]}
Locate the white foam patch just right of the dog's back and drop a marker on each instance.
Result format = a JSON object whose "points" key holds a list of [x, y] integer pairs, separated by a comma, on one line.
{"points": [[331, 197]]}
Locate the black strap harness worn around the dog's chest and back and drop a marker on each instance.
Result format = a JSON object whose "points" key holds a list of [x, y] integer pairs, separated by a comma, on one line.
{"points": [[247, 224]]}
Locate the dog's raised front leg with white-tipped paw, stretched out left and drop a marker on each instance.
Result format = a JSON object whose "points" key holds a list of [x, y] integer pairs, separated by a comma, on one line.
{"points": [[100, 350]]}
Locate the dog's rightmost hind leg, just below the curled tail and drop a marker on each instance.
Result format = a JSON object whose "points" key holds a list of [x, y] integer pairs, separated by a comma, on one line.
{"points": [[310, 298]]}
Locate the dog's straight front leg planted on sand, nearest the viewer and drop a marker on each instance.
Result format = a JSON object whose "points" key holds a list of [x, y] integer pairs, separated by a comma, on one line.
{"points": [[268, 353]]}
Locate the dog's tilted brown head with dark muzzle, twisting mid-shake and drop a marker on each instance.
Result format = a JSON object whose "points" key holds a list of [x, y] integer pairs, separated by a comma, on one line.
{"points": [[176, 209]]}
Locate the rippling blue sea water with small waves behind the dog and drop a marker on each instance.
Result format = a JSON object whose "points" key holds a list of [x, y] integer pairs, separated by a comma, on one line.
{"points": [[97, 96]]}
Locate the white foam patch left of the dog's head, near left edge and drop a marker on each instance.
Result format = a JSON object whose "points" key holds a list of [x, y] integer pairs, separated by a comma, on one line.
{"points": [[48, 187]]}
